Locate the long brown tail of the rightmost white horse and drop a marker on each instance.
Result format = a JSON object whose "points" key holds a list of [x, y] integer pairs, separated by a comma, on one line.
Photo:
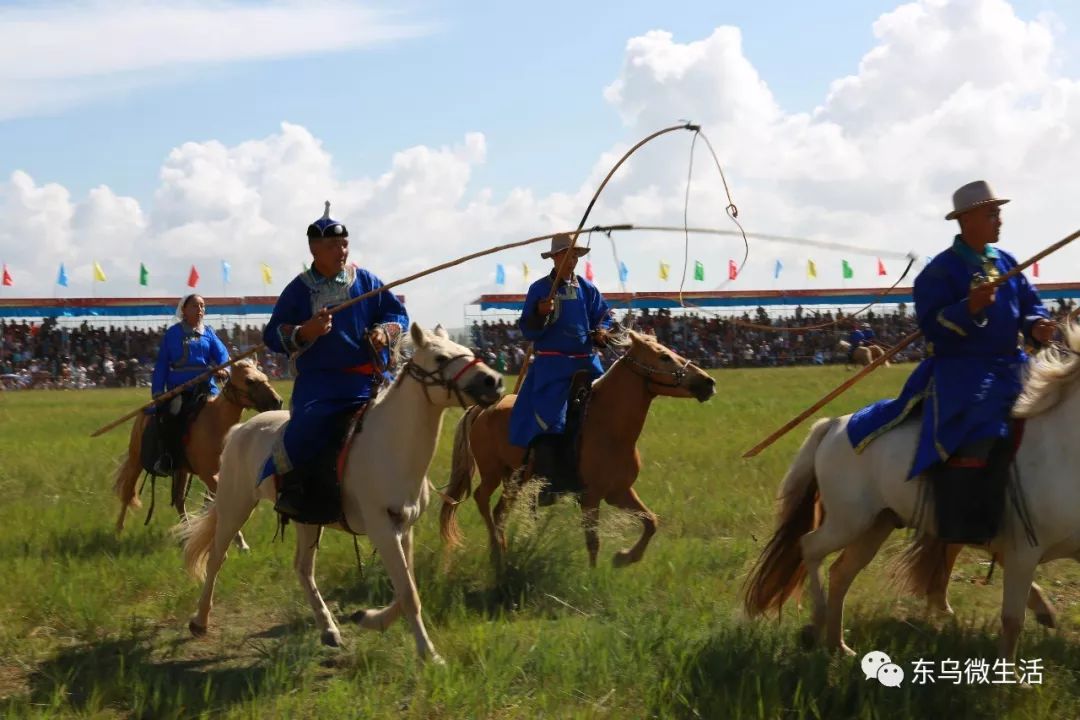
{"points": [[779, 573]]}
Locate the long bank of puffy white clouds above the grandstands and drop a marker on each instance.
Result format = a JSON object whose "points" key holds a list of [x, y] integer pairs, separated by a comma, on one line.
{"points": [[931, 107]]}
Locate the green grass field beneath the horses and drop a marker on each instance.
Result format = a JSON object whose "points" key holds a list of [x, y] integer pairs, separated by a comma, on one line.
{"points": [[96, 626]]}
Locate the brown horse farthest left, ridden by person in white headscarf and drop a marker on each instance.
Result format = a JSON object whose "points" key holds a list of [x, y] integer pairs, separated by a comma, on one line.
{"points": [[247, 388]]}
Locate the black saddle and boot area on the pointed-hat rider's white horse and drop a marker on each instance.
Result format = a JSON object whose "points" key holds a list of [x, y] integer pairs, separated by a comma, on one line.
{"points": [[318, 498]]}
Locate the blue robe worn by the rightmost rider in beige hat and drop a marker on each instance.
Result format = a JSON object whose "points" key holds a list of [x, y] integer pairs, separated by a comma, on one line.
{"points": [[971, 377]]}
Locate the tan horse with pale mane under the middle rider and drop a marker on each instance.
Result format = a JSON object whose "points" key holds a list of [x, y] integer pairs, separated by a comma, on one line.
{"points": [[609, 463]]}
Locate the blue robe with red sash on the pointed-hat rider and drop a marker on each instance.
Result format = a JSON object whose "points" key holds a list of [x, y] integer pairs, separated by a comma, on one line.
{"points": [[334, 373]]}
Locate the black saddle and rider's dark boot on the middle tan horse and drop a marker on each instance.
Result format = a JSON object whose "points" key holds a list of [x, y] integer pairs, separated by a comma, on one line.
{"points": [[556, 458]]}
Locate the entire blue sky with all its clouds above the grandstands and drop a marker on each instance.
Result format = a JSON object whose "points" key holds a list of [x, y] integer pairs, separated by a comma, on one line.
{"points": [[133, 132]]}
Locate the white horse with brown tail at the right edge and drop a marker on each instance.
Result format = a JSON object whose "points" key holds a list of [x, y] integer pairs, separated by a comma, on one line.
{"points": [[865, 497]]}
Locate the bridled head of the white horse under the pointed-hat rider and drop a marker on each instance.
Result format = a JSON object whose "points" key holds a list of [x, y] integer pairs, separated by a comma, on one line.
{"points": [[439, 362]]}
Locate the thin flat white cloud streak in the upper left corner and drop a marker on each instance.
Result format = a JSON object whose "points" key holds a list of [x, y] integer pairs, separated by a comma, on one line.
{"points": [[53, 56]]}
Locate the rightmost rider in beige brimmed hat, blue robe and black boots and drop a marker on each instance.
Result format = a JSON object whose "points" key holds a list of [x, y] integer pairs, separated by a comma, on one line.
{"points": [[971, 376]]}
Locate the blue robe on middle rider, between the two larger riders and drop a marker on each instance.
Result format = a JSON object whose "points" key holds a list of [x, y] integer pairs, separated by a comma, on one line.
{"points": [[562, 346]]}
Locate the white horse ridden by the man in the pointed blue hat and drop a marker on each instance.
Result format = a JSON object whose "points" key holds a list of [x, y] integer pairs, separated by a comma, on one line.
{"points": [[385, 490]]}
